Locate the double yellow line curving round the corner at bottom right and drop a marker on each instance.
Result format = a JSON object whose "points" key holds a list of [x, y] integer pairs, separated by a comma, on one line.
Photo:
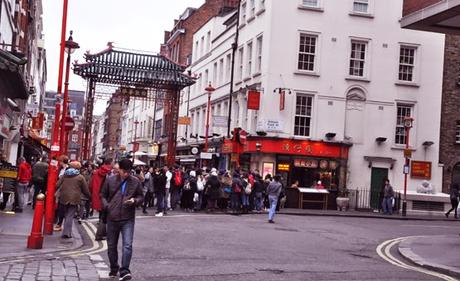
{"points": [[384, 251]]}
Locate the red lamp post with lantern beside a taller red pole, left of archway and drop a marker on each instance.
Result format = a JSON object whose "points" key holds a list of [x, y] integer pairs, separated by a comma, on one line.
{"points": [[70, 47]]}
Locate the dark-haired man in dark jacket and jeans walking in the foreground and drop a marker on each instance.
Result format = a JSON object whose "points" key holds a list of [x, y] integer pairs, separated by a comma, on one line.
{"points": [[120, 195]]}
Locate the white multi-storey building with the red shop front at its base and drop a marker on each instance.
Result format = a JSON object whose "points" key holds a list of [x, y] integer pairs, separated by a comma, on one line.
{"points": [[350, 75]]}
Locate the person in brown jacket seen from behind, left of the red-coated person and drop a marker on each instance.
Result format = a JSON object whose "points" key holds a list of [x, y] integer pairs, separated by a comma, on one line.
{"points": [[72, 185]]}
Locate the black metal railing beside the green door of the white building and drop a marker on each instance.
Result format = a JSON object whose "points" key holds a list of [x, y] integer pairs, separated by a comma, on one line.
{"points": [[369, 200]]}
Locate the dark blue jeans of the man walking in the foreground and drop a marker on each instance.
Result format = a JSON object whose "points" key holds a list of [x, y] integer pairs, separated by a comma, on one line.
{"points": [[114, 228]]}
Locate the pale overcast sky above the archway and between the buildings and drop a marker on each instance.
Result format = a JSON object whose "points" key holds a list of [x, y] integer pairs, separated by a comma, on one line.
{"points": [[134, 24]]}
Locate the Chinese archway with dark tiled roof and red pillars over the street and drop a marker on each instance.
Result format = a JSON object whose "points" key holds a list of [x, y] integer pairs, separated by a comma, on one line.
{"points": [[135, 70]]}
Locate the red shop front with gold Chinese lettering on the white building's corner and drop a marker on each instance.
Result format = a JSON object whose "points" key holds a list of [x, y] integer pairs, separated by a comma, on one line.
{"points": [[302, 162]]}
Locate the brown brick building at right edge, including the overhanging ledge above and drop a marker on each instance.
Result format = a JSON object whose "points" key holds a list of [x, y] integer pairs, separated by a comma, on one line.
{"points": [[442, 16]]}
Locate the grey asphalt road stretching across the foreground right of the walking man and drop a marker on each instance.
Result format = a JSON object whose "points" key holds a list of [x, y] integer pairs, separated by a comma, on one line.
{"points": [[223, 247]]}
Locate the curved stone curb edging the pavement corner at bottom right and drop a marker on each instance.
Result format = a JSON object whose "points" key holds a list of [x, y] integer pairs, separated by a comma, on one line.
{"points": [[405, 249]]}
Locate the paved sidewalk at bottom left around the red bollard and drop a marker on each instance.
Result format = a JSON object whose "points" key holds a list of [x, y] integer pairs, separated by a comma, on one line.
{"points": [[47, 264]]}
